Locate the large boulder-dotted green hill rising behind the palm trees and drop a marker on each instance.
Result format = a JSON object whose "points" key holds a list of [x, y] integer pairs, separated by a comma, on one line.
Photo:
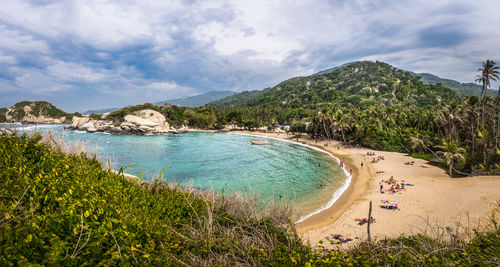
{"points": [[356, 83]]}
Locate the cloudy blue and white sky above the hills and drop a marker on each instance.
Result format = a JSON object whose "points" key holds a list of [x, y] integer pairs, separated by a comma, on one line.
{"points": [[88, 54]]}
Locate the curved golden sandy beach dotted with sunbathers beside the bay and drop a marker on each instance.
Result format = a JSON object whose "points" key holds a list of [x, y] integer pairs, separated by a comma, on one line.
{"points": [[435, 198]]}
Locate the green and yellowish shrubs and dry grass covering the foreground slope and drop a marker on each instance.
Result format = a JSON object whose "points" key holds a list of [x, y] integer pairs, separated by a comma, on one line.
{"points": [[65, 209]]}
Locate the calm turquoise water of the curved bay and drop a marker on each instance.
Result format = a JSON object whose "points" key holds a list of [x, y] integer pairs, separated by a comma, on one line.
{"points": [[222, 160]]}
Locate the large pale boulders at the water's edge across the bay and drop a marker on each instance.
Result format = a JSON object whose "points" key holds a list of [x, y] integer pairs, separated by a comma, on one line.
{"points": [[146, 121]]}
